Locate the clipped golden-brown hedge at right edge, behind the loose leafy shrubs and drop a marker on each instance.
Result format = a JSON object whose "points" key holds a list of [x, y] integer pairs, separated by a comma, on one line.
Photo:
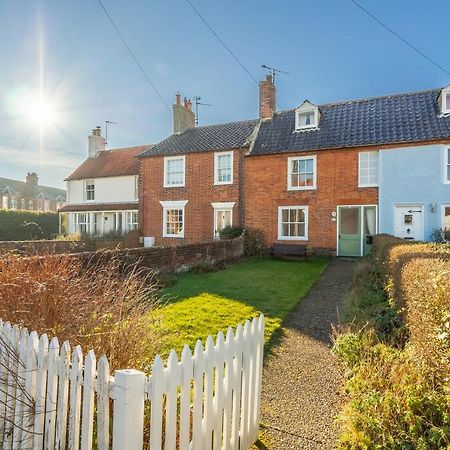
{"points": [[417, 279]]}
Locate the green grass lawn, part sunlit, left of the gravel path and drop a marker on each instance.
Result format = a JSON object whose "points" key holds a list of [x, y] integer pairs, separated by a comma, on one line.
{"points": [[198, 305]]}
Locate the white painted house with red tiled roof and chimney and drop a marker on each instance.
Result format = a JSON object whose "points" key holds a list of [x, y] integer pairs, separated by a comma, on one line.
{"points": [[102, 193]]}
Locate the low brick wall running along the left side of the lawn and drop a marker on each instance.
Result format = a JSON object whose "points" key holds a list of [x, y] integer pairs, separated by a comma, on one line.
{"points": [[175, 259]]}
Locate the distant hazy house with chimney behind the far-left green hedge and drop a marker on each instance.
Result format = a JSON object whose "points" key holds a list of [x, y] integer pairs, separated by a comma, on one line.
{"points": [[30, 195]]}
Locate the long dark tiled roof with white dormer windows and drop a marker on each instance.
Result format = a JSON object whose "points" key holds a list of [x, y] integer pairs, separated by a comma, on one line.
{"points": [[401, 118]]}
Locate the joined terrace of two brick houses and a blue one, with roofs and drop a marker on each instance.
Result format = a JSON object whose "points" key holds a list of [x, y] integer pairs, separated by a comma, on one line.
{"points": [[309, 176]]}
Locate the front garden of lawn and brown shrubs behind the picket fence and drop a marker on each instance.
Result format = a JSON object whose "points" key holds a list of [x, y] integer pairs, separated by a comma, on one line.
{"points": [[130, 319]]}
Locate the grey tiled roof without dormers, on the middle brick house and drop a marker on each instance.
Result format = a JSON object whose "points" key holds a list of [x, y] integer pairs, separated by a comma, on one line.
{"points": [[200, 139]]}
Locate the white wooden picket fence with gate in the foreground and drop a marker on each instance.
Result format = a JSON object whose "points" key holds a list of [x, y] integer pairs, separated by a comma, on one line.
{"points": [[55, 398]]}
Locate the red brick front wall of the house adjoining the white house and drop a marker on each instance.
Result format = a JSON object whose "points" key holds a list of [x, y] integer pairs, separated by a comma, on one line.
{"points": [[199, 190]]}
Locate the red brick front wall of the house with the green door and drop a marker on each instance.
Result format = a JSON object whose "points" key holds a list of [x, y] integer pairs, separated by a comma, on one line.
{"points": [[337, 184]]}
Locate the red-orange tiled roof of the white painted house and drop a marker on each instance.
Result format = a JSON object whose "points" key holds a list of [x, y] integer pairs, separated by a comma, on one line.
{"points": [[110, 163]]}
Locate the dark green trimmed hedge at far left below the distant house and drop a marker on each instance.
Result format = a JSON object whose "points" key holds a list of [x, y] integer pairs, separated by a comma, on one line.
{"points": [[27, 225]]}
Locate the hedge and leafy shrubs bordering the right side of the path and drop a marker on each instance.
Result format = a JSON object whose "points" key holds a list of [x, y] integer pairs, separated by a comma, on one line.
{"points": [[396, 349]]}
